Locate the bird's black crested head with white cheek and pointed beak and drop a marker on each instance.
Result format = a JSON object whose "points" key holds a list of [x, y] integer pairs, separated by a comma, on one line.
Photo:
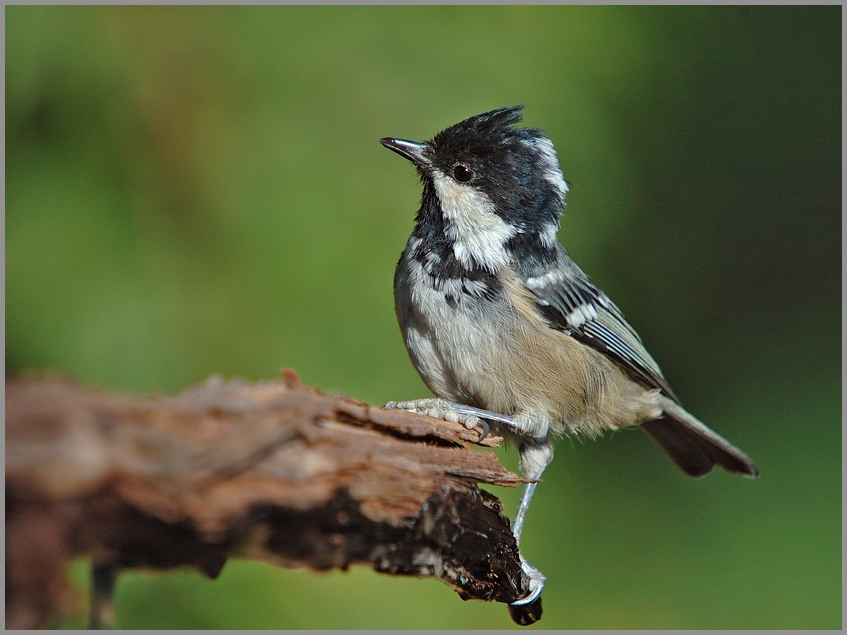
{"points": [[488, 186]]}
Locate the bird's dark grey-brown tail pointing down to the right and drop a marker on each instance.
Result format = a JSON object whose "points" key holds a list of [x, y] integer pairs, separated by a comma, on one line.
{"points": [[693, 446]]}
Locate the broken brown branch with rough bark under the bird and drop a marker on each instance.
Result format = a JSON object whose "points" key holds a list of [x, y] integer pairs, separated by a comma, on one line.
{"points": [[273, 471]]}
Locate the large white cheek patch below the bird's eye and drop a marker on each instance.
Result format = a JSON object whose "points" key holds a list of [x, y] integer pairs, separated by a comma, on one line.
{"points": [[479, 236]]}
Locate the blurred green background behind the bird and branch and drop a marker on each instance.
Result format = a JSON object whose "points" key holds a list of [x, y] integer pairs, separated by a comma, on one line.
{"points": [[195, 190]]}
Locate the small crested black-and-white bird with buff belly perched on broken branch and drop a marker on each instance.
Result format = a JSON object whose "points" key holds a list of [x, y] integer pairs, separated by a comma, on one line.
{"points": [[504, 327]]}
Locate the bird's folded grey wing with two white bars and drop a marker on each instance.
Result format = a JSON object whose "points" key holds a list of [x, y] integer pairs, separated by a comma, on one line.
{"points": [[568, 300]]}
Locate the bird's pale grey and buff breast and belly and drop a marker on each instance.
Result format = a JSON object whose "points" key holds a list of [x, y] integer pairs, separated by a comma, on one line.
{"points": [[494, 350]]}
